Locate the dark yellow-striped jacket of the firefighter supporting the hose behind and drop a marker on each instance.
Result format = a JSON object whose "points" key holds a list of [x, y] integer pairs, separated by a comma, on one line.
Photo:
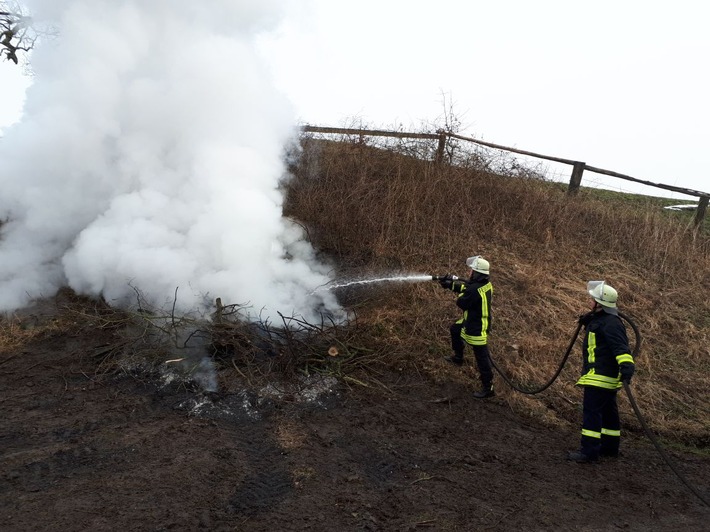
{"points": [[605, 346]]}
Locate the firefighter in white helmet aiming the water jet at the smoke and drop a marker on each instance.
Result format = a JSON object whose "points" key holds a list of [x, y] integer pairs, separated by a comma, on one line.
{"points": [[474, 298]]}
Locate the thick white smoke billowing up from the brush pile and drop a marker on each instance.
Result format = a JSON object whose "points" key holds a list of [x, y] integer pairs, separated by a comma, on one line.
{"points": [[149, 156]]}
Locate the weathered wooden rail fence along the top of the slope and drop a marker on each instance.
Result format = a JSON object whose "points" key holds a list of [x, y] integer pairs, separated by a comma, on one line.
{"points": [[578, 167]]}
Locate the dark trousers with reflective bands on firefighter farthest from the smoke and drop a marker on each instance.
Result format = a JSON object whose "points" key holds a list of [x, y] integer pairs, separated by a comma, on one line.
{"points": [[600, 422]]}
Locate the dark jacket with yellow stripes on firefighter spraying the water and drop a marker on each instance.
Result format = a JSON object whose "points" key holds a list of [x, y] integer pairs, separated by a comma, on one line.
{"points": [[474, 298]]}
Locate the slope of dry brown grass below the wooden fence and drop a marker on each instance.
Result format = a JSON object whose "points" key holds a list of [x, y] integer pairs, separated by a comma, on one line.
{"points": [[377, 213]]}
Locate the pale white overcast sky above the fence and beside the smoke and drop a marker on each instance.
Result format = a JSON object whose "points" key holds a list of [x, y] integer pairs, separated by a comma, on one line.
{"points": [[620, 85]]}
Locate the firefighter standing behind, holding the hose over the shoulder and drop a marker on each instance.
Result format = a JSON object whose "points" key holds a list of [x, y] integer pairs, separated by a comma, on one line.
{"points": [[607, 361]]}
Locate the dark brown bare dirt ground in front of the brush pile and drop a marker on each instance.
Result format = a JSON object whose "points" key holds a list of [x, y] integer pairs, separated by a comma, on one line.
{"points": [[88, 450]]}
